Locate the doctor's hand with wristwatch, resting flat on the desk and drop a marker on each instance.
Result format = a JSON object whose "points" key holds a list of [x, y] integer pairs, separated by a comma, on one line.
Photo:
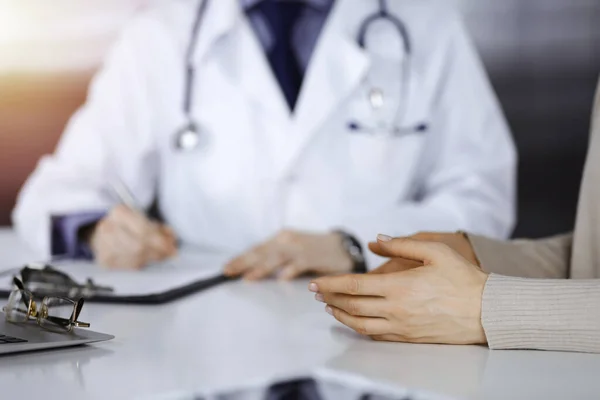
{"points": [[290, 254]]}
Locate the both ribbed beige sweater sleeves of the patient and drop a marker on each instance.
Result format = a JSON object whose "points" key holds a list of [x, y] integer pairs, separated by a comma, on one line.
{"points": [[529, 304]]}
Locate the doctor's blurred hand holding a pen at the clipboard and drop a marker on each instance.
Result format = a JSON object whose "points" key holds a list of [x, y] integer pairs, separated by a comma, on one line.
{"points": [[126, 239]]}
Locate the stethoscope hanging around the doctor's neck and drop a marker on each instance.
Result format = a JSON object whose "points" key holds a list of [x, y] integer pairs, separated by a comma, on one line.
{"points": [[188, 137]]}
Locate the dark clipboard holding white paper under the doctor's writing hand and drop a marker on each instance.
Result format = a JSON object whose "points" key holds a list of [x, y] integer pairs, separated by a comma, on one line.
{"points": [[159, 283]]}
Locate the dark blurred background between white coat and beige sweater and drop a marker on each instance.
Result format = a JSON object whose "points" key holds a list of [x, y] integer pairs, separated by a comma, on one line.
{"points": [[544, 60]]}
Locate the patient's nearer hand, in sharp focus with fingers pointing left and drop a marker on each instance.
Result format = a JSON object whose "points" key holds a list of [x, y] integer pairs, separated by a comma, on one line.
{"points": [[437, 302]]}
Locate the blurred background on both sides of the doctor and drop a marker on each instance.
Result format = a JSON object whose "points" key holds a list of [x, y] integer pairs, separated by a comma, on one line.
{"points": [[543, 57]]}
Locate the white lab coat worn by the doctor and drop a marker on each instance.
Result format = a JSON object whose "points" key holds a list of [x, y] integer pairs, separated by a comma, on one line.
{"points": [[260, 169]]}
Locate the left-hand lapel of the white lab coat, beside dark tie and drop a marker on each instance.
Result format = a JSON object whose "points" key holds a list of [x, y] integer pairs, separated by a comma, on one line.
{"points": [[233, 44]]}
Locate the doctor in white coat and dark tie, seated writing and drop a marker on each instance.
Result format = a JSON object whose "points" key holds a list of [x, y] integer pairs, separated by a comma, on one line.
{"points": [[399, 134]]}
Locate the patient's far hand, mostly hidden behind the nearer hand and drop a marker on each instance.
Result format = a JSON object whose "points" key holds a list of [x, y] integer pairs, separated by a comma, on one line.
{"points": [[458, 242]]}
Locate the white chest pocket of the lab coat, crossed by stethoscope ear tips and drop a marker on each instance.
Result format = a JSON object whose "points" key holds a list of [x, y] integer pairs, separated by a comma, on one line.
{"points": [[385, 144]]}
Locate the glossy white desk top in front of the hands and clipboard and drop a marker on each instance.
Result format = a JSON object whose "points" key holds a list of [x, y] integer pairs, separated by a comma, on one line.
{"points": [[239, 332]]}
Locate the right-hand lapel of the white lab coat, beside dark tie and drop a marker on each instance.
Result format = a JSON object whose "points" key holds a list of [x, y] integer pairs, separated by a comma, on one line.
{"points": [[337, 67]]}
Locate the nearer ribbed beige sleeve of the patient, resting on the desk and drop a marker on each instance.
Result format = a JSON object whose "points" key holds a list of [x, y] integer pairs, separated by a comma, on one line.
{"points": [[543, 314]]}
